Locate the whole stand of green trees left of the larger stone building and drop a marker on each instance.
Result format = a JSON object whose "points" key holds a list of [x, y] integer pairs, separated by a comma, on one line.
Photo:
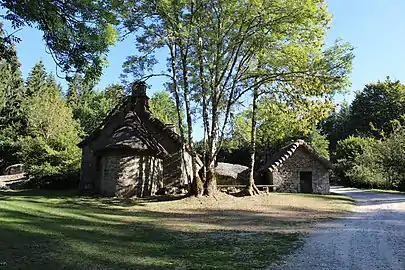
{"points": [[40, 127]]}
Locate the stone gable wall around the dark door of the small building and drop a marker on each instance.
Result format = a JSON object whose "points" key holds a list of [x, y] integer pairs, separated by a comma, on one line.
{"points": [[287, 175]]}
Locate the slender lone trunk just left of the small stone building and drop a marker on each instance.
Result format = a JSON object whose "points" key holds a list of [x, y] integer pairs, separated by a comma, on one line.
{"points": [[251, 187]]}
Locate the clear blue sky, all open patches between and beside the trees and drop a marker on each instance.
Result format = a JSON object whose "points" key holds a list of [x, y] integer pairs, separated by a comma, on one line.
{"points": [[376, 29]]}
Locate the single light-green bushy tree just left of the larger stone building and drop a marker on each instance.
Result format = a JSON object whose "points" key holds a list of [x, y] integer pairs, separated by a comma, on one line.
{"points": [[49, 148]]}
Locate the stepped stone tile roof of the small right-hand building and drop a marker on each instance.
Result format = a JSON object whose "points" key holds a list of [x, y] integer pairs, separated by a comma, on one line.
{"points": [[279, 157]]}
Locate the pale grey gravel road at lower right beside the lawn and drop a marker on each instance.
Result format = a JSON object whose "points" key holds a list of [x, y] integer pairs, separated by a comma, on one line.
{"points": [[373, 237]]}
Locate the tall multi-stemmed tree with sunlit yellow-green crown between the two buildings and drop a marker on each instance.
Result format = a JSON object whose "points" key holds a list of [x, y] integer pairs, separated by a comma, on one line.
{"points": [[218, 65]]}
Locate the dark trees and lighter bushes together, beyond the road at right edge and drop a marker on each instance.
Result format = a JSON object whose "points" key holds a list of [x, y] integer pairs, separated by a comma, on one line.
{"points": [[377, 159]]}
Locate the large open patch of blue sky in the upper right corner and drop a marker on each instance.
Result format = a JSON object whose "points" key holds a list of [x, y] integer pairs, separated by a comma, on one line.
{"points": [[376, 29]]}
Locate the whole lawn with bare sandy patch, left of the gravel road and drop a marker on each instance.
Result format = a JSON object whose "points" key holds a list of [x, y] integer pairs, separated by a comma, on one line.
{"points": [[48, 230]]}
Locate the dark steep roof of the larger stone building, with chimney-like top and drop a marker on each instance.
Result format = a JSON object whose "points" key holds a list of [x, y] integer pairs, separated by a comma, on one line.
{"points": [[139, 130]]}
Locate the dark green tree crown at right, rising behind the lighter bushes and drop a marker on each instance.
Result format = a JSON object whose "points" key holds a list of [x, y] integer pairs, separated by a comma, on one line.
{"points": [[377, 110]]}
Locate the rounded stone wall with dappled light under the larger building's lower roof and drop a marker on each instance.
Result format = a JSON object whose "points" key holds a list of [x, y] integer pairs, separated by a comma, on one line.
{"points": [[126, 176]]}
